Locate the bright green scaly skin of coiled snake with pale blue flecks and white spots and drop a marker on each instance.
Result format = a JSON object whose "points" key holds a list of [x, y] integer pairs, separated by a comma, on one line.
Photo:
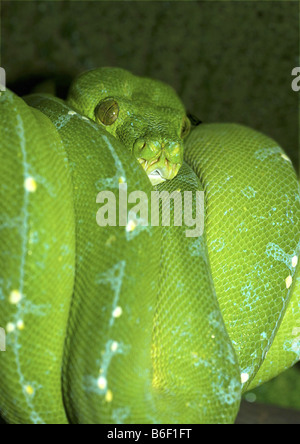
{"points": [[166, 356]]}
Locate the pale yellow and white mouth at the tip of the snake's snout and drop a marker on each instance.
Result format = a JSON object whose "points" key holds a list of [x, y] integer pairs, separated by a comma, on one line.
{"points": [[160, 169]]}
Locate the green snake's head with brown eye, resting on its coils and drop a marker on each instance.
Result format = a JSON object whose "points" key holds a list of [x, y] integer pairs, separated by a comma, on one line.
{"points": [[146, 115]]}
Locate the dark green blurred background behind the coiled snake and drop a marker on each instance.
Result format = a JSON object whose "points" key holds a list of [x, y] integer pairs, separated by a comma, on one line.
{"points": [[228, 61]]}
